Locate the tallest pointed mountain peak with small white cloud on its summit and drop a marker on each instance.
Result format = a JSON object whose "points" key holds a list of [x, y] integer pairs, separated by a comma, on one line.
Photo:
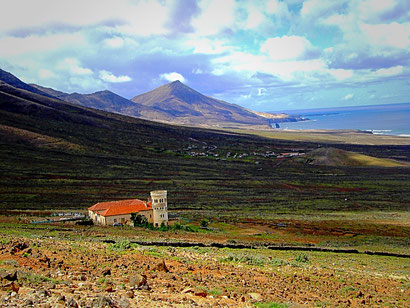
{"points": [[187, 106]]}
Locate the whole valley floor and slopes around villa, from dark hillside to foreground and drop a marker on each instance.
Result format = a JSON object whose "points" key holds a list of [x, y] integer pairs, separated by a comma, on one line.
{"points": [[254, 188]]}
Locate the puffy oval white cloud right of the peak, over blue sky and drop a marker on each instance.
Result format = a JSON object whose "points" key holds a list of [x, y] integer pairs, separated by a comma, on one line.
{"points": [[286, 47]]}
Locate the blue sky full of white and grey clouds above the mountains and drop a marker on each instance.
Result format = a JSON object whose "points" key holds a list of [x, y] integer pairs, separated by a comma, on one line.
{"points": [[266, 55]]}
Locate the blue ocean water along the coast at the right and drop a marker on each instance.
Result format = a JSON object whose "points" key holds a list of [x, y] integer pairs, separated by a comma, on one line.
{"points": [[391, 119]]}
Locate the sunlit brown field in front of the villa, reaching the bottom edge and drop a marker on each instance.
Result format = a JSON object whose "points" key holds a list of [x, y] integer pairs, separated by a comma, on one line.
{"points": [[60, 265]]}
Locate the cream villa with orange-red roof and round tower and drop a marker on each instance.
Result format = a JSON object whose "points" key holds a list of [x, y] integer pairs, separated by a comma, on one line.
{"points": [[154, 210]]}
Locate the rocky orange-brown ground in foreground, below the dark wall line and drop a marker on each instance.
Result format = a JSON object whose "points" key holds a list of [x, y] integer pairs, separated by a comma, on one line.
{"points": [[50, 272]]}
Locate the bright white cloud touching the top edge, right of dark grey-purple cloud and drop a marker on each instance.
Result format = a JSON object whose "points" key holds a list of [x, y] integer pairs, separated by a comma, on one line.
{"points": [[216, 16]]}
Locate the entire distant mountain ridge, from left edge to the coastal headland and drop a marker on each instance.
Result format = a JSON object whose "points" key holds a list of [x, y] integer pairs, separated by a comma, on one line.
{"points": [[173, 103]]}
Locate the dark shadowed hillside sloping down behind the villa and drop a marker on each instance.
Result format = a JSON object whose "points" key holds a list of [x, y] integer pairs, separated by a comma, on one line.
{"points": [[55, 154]]}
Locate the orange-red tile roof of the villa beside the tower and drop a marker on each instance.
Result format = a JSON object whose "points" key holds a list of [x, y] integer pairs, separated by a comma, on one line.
{"points": [[122, 207]]}
